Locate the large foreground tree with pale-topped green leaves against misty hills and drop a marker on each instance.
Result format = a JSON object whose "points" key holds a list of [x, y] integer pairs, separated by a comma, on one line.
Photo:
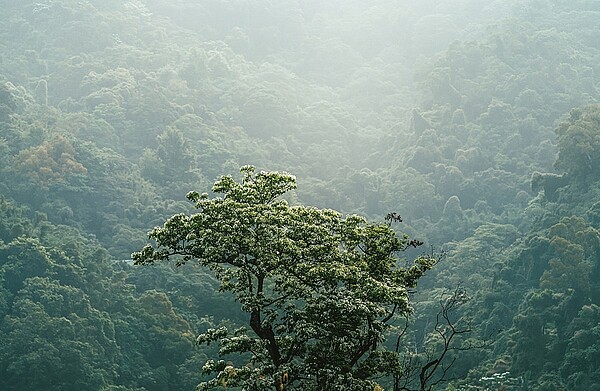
{"points": [[321, 289]]}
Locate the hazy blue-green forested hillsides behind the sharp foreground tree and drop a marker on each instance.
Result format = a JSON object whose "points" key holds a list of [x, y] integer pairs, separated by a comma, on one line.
{"points": [[478, 122]]}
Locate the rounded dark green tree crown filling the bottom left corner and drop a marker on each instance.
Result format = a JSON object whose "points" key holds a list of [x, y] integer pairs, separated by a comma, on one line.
{"points": [[56, 340]]}
